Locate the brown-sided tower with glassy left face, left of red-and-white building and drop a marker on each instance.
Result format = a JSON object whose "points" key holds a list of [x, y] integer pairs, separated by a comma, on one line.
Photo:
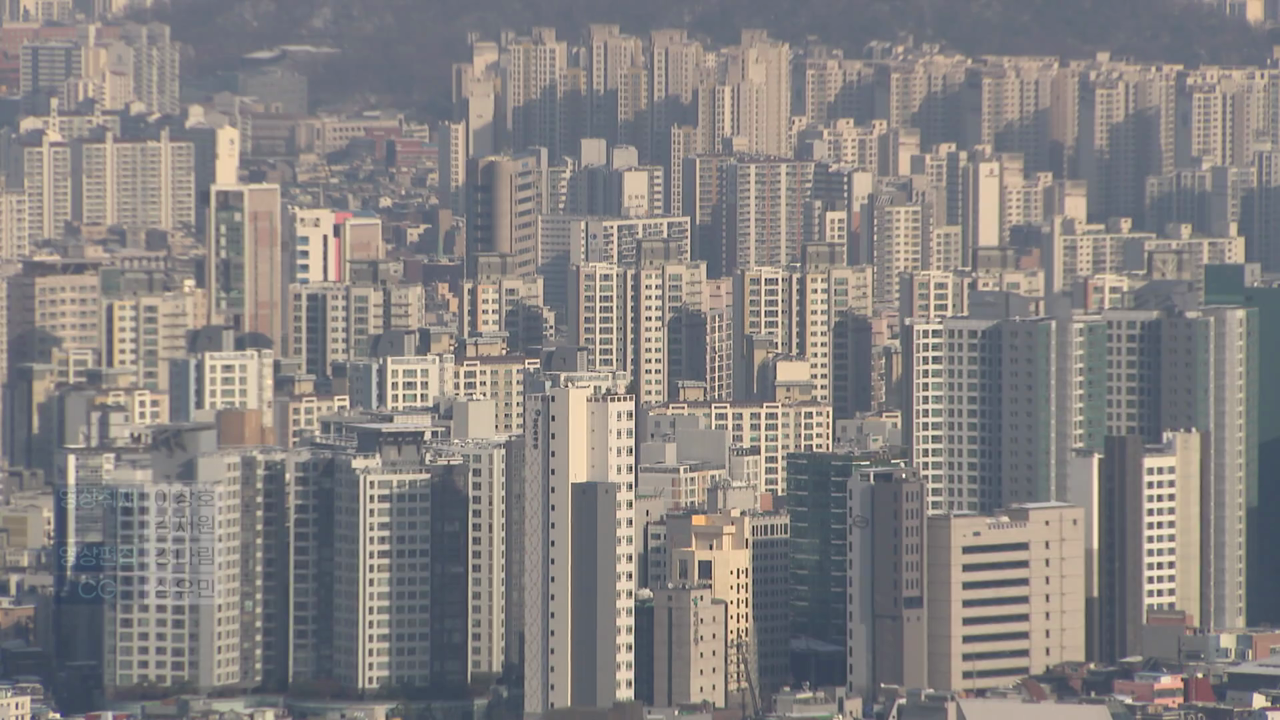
{"points": [[245, 261]]}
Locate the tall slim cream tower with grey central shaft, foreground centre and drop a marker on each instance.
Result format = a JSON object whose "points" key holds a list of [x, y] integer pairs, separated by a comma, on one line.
{"points": [[580, 543]]}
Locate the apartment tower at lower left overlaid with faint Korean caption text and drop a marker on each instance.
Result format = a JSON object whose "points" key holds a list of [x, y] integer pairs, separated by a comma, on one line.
{"points": [[191, 494]]}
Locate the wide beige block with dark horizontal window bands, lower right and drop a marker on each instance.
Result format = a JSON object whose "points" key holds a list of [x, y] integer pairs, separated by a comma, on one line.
{"points": [[1005, 595]]}
